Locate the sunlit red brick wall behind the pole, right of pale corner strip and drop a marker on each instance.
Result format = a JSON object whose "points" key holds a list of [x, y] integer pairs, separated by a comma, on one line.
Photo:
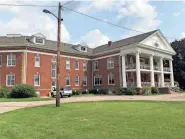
{"points": [[45, 72]]}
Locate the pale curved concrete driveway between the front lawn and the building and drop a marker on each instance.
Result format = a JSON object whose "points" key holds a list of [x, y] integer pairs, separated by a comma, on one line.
{"points": [[9, 106]]}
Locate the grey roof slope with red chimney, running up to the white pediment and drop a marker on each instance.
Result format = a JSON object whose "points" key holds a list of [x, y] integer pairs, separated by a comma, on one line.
{"points": [[123, 42]]}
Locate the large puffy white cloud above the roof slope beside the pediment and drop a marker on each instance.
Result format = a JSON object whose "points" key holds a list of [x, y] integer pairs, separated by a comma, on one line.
{"points": [[144, 12]]}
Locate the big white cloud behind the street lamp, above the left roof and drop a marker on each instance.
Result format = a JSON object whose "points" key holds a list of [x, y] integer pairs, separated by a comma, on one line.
{"points": [[29, 20]]}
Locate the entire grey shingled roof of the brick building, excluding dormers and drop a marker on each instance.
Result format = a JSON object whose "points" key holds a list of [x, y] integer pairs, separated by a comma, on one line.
{"points": [[70, 48]]}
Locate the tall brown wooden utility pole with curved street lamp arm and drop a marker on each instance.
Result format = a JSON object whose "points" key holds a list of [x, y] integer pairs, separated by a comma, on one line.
{"points": [[58, 52]]}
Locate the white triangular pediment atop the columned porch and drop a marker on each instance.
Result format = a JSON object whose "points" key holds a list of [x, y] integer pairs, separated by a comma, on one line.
{"points": [[158, 41]]}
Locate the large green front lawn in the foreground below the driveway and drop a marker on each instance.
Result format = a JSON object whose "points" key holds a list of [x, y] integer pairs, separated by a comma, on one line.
{"points": [[97, 120]]}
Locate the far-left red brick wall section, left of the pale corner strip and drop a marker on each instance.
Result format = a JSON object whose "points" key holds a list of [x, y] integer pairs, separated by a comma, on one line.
{"points": [[17, 70]]}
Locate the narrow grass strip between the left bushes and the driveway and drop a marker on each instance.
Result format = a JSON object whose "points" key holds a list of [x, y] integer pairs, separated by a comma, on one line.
{"points": [[23, 99]]}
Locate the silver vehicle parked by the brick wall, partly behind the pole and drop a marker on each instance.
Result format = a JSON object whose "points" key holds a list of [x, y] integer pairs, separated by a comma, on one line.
{"points": [[67, 91]]}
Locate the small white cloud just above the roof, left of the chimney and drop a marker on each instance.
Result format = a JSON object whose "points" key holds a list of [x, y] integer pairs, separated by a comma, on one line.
{"points": [[94, 38]]}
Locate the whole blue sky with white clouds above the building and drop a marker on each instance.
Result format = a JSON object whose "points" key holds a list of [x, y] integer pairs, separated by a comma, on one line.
{"points": [[141, 15]]}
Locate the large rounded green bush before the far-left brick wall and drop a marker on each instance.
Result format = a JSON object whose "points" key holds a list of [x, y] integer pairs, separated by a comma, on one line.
{"points": [[23, 91]]}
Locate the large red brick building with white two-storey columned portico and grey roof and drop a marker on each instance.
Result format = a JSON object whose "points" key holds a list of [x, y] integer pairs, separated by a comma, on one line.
{"points": [[142, 60]]}
